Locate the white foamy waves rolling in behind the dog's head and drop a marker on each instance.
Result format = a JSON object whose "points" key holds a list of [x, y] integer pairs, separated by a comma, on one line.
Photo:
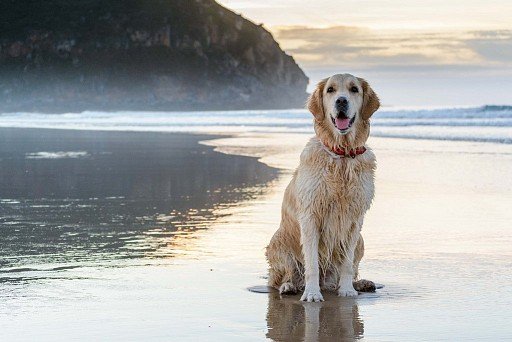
{"points": [[491, 123]]}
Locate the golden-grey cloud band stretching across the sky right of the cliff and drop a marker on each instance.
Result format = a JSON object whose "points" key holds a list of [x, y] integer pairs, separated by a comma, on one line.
{"points": [[360, 47]]}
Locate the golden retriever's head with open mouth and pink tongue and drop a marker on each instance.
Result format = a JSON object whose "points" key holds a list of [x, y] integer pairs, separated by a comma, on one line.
{"points": [[342, 106]]}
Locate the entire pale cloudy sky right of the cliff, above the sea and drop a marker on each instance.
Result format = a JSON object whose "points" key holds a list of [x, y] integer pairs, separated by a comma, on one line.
{"points": [[414, 53]]}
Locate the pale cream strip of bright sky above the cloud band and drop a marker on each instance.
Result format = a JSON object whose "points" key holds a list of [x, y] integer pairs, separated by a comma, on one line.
{"points": [[393, 14]]}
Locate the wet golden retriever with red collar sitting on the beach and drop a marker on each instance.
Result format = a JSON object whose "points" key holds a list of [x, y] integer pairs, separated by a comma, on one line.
{"points": [[318, 244]]}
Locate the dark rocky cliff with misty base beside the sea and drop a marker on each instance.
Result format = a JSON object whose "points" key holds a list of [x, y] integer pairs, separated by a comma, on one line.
{"points": [[61, 55]]}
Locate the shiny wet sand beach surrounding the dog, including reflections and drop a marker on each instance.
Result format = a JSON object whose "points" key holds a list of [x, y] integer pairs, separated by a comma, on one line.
{"points": [[437, 236]]}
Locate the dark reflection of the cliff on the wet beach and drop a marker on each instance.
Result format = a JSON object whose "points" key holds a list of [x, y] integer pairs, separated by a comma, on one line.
{"points": [[103, 196]]}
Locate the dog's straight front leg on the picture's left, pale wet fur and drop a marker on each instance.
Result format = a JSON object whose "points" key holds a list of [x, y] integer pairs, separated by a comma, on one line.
{"points": [[309, 236]]}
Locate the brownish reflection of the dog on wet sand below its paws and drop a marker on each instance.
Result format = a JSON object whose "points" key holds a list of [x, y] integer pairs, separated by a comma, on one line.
{"points": [[336, 319]]}
